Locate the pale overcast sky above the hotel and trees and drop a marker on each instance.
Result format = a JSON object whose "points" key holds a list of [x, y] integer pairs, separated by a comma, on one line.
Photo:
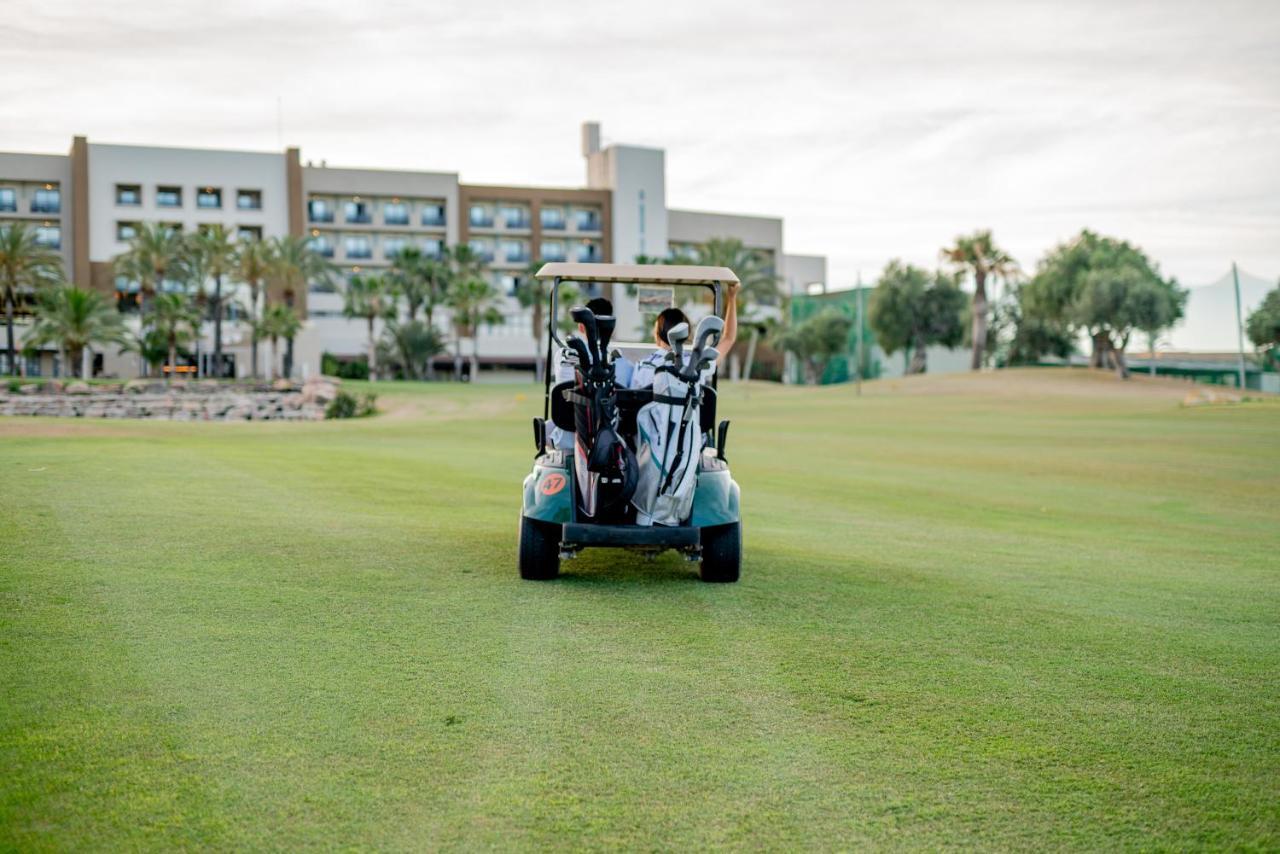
{"points": [[876, 130]]}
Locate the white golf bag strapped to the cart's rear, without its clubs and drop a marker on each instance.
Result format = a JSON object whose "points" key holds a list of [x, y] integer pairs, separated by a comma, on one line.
{"points": [[669, 445]]}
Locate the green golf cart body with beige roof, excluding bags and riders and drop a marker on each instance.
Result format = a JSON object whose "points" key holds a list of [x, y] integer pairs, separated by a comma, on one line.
{"points": [[551, 524]]}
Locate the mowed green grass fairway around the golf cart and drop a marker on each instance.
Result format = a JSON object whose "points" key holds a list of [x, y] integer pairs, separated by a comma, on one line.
{"points": [[1032, 610]]}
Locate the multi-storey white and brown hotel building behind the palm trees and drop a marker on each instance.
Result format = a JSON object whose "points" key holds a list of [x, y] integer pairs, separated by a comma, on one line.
{"points": [[90, 203]]}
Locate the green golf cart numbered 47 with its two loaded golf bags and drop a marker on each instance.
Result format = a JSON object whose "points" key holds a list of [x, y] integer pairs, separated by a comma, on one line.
{"points": [[647, 472]]}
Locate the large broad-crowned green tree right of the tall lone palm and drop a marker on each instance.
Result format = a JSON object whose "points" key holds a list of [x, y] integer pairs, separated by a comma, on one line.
{"points": [[1107, 289]]}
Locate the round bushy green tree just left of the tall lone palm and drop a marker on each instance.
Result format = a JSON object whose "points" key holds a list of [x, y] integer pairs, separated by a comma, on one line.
{"points": [[912, 309]]}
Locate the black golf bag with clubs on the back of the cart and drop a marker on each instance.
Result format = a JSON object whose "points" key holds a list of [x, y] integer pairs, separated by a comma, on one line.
{"points": [[605, 467]]}
